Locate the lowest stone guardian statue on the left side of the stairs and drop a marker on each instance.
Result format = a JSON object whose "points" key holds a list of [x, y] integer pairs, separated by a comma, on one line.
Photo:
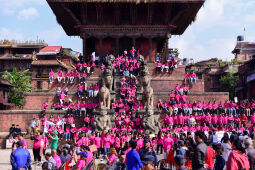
{"points": [[103, 121]]}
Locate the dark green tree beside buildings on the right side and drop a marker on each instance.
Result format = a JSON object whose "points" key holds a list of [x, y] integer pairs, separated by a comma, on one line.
{"points": [[228, 84]]}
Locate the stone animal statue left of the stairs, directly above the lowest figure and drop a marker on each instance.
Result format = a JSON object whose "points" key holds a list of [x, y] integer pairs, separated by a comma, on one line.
{"points": [[104, 97]]}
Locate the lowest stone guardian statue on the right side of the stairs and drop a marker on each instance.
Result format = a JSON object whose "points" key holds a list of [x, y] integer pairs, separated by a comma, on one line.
{"points": [[151, 121]]}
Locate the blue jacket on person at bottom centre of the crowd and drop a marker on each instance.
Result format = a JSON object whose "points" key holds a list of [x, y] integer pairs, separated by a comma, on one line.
{"points": [[133, 160]]}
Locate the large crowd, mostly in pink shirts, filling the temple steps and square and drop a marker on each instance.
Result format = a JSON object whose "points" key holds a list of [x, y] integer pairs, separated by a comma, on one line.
{"points": [[194, 136]]}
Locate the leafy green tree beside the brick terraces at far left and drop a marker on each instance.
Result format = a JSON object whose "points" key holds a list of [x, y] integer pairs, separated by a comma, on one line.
{"points": [[21, 83]]}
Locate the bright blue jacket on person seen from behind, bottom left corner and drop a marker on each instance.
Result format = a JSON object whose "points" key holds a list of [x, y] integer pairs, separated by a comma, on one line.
{"points": [[20, 158]]}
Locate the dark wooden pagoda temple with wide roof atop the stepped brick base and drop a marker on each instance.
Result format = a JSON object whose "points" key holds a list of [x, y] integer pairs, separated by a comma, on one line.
{"points": [[116, 25]]}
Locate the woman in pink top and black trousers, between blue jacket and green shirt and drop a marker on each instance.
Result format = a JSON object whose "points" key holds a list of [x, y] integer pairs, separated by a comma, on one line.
{"points": [[37, 146]]}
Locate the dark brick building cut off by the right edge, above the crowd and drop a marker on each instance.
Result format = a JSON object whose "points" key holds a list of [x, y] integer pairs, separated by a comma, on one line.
{"points": [[246, 83]]}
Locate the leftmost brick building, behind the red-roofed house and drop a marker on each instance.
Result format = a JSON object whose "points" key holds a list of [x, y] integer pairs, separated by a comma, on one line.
{"points": [[19, 55]]}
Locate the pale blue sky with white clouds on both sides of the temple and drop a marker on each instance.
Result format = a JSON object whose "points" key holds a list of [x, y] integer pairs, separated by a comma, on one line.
{"points": [[213, 34]]}
